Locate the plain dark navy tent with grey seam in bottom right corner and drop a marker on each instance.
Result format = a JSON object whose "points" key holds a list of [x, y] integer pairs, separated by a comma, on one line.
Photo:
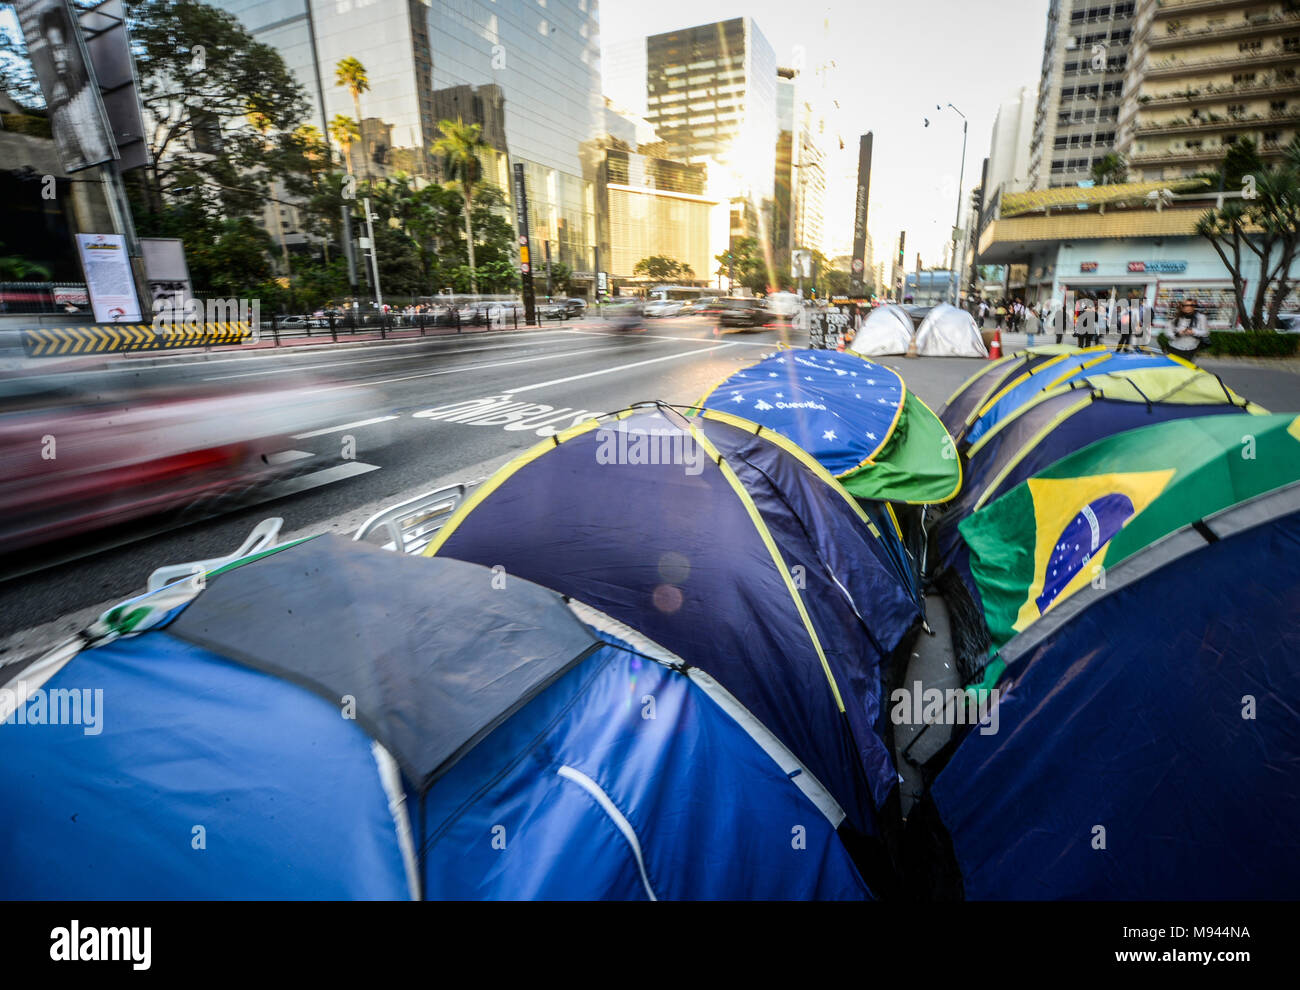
{"points": [[1162, 762]]}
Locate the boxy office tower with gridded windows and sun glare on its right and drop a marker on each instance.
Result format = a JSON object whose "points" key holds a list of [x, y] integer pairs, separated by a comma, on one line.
{"points": [[712, 97]]}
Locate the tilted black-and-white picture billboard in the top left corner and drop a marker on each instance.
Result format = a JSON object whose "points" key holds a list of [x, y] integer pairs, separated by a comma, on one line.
{"points": [[62, 64]]}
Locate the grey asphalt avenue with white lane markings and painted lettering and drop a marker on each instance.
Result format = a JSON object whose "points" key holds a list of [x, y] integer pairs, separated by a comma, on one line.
{"points": [[406, 445]]}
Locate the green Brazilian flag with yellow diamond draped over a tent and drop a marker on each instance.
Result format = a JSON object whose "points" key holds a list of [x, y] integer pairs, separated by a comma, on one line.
{"points": [[1056, 535]]}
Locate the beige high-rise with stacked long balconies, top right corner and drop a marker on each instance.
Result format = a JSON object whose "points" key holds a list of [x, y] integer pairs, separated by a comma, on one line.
{"points": [[1206, 75]]}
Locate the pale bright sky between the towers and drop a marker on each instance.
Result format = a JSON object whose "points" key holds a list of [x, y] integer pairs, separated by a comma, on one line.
{"points": [[894, 63]]}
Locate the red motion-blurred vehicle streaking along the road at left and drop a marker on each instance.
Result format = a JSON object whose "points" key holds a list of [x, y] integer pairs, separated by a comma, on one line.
{"points": [[79, 455]]}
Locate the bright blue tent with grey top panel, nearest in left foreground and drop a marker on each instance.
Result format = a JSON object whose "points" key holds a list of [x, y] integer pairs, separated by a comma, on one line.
{"points": [[495, 744]]}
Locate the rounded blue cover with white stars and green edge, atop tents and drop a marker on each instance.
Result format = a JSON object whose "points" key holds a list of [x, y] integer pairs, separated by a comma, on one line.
{"points": [[857, 418]]}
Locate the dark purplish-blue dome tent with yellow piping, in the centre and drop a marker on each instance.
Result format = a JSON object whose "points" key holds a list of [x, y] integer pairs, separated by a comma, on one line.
{"points": [[734, 549]]}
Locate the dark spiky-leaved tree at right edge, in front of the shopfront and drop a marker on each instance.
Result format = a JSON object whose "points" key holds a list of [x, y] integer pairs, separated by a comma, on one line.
{"points": [[1266, 223]]}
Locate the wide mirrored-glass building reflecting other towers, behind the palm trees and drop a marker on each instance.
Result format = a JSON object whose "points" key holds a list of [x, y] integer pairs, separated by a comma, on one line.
{"points": [[528, 73]]}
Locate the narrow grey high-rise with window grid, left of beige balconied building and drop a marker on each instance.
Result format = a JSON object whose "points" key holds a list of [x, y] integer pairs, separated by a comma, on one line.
{"points": [[1081, 88]]}
